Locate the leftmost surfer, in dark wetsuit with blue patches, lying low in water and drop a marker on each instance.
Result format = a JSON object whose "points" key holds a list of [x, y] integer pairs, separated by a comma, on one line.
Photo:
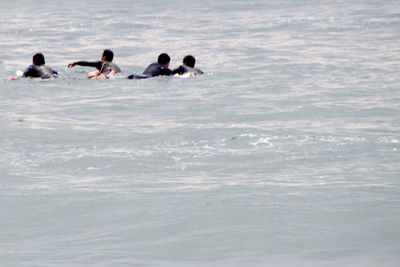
{"points": [[37, 69]]}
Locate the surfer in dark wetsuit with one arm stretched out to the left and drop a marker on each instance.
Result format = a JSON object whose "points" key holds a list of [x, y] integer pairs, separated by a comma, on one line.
{"points": [[105, 67]]}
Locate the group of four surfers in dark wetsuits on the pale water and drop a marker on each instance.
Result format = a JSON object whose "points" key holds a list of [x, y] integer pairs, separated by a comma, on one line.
{"points": [[105, 68]]}
